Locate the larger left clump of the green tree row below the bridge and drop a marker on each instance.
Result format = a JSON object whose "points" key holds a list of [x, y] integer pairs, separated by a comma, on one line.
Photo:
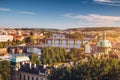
{"points": [[52, 55]]}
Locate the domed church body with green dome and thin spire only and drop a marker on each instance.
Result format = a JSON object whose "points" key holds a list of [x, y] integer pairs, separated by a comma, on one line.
{"points": [[103, 45]]}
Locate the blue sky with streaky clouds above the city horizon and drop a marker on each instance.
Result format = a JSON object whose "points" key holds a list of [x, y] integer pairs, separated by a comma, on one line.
{"points": [[59, 14]]}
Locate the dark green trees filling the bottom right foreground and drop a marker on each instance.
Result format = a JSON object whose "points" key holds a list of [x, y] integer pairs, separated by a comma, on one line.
{"points": [[103, 69]]}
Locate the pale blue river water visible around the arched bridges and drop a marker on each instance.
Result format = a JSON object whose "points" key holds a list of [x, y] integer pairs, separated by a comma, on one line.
{"points": [[56, 43]]}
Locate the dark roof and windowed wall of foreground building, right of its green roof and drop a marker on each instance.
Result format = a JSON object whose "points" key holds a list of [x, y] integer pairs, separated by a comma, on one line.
{"points": [[32, 72]]}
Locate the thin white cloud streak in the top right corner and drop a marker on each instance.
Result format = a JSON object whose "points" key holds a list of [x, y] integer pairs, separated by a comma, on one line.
{"points": [[108, 2]]}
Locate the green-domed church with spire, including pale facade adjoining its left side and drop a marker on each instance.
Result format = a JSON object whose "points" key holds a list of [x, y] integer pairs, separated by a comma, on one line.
{"points": [[103, 46]]}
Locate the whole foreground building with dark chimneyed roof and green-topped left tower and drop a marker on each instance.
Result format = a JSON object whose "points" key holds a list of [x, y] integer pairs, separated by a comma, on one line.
{"points": [[22, 69]]}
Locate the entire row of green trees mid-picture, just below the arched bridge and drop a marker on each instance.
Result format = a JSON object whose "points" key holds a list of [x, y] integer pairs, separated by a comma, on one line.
{"points": [[52, 55]]}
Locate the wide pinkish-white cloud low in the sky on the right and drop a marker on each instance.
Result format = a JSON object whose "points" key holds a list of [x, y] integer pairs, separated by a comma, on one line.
{"points": [[95, 19]]}
